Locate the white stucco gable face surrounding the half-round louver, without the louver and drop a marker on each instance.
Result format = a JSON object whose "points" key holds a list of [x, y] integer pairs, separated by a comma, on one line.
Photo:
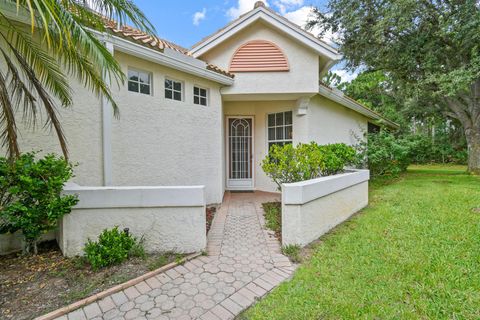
{"points": [[303, 76]]}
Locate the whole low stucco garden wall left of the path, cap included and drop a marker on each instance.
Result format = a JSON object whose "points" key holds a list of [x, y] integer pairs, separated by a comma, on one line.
{"points": [[168, 218]]}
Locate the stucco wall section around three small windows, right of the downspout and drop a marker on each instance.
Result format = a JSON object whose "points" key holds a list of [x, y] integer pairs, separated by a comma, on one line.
{"points": [[164, 142]]}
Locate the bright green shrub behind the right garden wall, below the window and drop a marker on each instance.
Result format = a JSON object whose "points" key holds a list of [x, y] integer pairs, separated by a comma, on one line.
{"points": [[286, 164]]}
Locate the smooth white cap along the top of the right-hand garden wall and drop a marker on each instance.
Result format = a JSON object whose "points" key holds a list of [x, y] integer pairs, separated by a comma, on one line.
{"points": [[306, 191]]}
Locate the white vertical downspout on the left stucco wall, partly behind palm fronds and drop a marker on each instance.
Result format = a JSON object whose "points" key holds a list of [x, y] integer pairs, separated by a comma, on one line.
{"points": [[107, 127]]}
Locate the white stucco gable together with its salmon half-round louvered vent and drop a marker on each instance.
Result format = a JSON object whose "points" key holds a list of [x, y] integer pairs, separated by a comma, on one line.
{"points": [[296, 68]]}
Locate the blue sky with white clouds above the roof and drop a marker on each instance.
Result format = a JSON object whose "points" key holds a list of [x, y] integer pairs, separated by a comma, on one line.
{"points": [[186, 22]]}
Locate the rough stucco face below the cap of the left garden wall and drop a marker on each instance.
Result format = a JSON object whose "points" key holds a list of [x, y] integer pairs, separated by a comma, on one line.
{"points": [[180, 229]]}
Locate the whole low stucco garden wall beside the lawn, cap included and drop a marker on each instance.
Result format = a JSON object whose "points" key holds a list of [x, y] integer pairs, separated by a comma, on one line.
{"points": [[311, 208]]}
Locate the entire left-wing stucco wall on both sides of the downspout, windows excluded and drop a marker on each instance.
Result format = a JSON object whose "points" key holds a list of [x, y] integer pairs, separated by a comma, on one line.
{"points": [[154, 142]]}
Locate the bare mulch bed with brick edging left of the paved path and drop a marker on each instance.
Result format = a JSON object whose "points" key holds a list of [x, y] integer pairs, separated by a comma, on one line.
{"points": [[34, 285]]}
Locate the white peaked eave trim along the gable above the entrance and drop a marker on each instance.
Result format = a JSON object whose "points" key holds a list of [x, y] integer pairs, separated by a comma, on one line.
{"points": [[264, 14]]}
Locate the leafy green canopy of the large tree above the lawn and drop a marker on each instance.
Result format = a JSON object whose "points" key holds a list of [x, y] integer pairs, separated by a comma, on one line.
{"points": [[429, 49]]}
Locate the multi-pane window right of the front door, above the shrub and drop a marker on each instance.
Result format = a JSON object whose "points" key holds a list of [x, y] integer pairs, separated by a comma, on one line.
{"points": [[280, 128]]}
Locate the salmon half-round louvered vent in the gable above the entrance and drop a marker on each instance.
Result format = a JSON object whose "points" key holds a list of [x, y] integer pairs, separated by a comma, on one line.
{"points": [[259, 55]]}
